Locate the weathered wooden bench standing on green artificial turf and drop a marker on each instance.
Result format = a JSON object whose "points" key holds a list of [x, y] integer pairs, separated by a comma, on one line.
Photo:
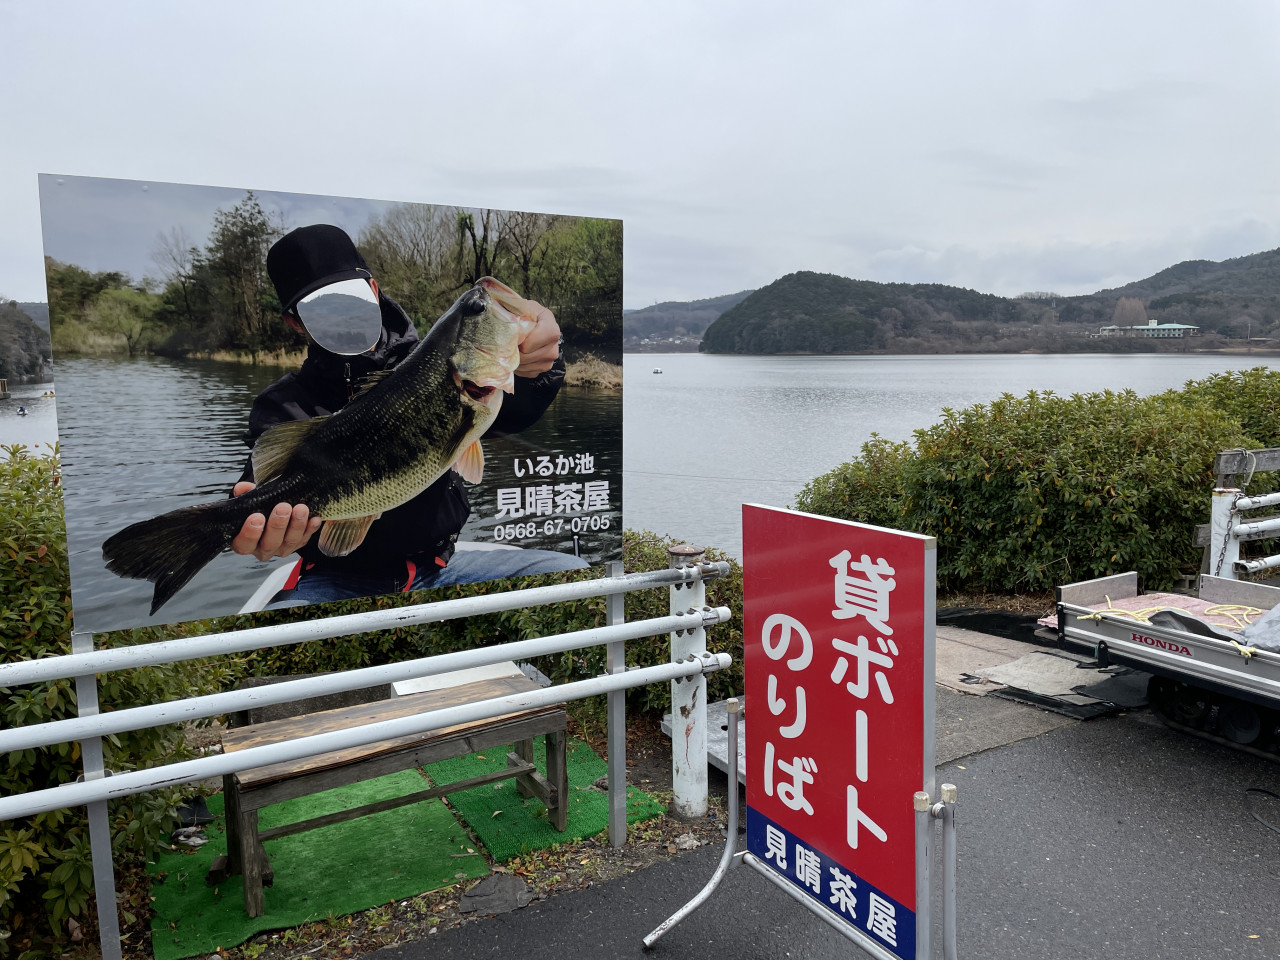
{"points": [[249, 792]]}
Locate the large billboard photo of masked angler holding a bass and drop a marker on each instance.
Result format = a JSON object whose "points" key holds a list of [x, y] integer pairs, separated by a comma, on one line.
{"points": [[400, 367]]}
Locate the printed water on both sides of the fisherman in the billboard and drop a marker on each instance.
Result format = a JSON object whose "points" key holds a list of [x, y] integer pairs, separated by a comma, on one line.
{"points": [[145, 437]]}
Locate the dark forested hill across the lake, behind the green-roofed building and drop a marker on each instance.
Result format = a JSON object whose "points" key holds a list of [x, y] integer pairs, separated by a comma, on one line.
{"points": [[1231, 303]]}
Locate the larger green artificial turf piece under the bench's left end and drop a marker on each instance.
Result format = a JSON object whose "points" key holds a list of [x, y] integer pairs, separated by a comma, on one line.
{"points": [[339, 870]]}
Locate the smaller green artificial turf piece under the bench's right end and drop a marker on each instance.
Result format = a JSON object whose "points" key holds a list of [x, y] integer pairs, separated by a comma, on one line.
{"points": [[510, 825]]}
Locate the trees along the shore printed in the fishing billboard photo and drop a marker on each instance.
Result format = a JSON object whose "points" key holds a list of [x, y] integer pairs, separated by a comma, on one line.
{"points": [[217, 300]]}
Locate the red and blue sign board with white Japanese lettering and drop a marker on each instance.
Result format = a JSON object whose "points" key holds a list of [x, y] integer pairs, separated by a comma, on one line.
{"points": [[839, 625]]}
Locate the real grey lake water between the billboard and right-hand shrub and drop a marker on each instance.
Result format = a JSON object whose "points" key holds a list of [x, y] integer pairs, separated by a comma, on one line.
{"points": [[712, 433]]}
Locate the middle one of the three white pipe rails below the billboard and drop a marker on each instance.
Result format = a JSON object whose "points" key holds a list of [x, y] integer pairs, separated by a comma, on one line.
{"points": [[217, 705]]}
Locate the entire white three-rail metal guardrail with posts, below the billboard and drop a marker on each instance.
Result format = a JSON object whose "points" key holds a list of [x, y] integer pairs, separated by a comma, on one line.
{"points": [[687, 671]]}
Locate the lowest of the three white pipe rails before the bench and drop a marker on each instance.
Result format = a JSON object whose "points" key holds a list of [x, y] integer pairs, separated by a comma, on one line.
{"points": [[190, 771]]}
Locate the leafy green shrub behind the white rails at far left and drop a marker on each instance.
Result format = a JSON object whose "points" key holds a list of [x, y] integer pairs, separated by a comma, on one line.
{"points": [[45, 865]]}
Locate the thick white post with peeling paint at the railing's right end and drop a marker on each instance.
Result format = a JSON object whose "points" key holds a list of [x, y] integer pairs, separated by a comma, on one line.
{"points": [[688, 698]]}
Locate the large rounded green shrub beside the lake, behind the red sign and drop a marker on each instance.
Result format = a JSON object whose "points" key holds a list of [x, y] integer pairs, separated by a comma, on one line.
{"points": [[1026, 493]]}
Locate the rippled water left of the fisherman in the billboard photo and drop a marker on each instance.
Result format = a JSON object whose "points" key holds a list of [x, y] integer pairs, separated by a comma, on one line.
{"points": [[140, 438]]}
